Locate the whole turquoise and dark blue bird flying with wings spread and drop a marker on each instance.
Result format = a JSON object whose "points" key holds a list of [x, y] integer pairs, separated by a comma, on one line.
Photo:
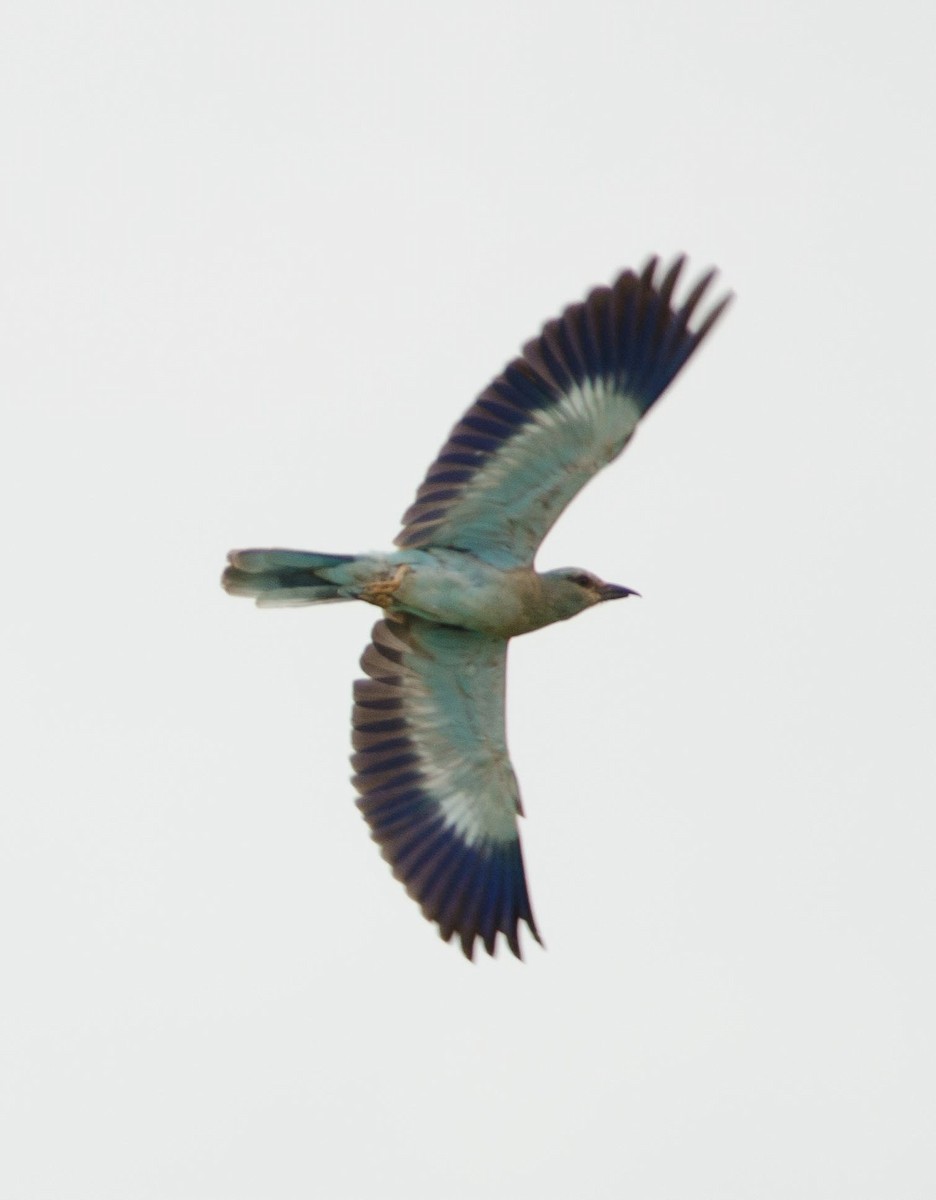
{"points": [[431, 760]]}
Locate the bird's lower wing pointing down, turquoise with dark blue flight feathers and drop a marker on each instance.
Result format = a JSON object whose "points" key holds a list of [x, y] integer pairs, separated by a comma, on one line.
{"points": [[435, 777]]}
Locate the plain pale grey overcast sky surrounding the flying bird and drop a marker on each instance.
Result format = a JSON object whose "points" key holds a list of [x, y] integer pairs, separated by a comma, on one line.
{"points": [[255, 261]]}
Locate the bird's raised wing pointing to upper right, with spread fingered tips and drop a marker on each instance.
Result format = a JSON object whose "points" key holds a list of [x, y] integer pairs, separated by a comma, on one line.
{"points": [[556, 417]]}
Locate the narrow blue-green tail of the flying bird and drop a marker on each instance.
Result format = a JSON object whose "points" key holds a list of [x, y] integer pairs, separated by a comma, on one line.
{"points": [[279, 579]]}
